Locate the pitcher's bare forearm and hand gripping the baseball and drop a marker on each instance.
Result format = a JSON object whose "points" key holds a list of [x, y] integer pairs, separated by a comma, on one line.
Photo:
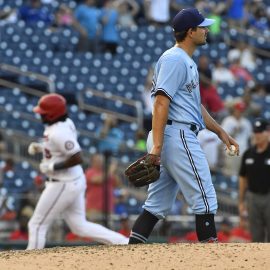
{"points": [[212, 125]]}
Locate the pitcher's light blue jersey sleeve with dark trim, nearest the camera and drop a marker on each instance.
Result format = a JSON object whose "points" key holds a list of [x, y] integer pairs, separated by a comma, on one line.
{"points": [[170, 77]]}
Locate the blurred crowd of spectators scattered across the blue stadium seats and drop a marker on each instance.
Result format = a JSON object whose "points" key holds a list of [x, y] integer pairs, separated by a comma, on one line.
{"points": [[98, 24]]}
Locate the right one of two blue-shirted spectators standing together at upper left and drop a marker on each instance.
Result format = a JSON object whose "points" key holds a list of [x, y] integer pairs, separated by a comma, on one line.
{"points": [[110, 35]]}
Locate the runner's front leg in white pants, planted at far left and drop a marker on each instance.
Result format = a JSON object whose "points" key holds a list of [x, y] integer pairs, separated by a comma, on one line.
{"points": [[48, 208]]}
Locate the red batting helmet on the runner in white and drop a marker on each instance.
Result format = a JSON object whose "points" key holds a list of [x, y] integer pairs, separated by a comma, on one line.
{"points": [[51, 107]]}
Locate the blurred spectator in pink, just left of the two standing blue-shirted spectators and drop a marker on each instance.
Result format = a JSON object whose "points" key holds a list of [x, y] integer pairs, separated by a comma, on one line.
{"points": [[64, 18]]}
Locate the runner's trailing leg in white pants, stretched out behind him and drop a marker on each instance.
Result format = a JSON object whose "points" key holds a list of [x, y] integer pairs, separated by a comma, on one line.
{"points": [[75, 217]]}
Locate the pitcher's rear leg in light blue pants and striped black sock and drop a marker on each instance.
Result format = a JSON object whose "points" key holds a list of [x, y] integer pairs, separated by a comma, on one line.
{"points": [[161, 195]]}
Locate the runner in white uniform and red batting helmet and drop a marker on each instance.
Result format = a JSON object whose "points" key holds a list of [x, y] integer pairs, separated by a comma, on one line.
{"points": [[66, 184]]}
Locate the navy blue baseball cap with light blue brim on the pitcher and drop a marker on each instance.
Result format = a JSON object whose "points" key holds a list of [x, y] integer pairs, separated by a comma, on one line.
{"points": [[189, 18]]}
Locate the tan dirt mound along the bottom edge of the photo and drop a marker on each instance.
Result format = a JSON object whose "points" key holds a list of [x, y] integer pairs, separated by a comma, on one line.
{"points": [[141, 257]]}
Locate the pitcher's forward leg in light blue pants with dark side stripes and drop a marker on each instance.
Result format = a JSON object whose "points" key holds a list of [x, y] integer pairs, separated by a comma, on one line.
{"points": [[192, 173]]}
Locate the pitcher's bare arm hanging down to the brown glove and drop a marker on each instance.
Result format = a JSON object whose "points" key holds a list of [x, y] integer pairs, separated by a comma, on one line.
{"points": [[160, 117]]}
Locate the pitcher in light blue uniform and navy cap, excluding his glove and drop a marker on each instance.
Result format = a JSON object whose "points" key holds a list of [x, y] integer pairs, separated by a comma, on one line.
{"points": [[177, 118]]}
